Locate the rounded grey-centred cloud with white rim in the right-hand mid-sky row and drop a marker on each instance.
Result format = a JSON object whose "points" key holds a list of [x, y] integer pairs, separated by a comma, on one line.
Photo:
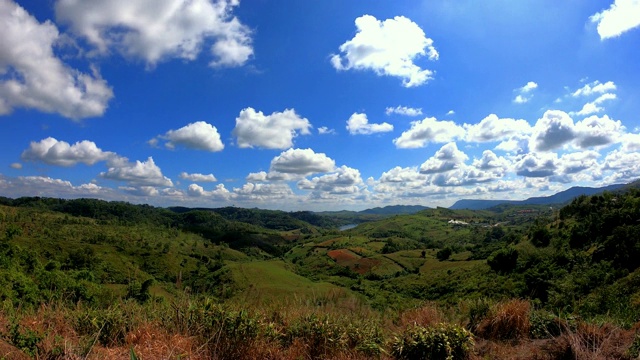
{"points": [[552, 131]]}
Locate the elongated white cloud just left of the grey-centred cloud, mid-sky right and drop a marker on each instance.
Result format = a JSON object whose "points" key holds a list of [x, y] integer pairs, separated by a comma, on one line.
{"points": [[493, 128]]}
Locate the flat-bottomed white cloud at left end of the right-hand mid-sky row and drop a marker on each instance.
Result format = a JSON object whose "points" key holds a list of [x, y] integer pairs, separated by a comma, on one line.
{"points": [[429, 130]]}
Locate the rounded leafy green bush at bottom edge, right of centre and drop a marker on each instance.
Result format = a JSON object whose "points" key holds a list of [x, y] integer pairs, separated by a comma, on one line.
{"points": [[442, 341]]}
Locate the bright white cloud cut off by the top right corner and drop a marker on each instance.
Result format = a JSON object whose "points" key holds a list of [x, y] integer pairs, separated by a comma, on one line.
{"points": [[622, 16]]}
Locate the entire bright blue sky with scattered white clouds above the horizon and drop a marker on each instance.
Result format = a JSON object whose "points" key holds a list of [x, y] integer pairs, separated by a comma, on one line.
{"points": [[317, 105]]}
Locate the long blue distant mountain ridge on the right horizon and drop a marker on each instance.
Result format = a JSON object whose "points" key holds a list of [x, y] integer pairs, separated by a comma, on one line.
{"points": [[559, 198]]}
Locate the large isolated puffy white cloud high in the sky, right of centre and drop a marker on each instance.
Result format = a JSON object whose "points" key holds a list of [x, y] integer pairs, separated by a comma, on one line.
{"points": [[387, 47]]}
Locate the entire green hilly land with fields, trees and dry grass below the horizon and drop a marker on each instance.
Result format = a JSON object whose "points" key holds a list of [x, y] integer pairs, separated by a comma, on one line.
{"points": [[91, 279]]}
